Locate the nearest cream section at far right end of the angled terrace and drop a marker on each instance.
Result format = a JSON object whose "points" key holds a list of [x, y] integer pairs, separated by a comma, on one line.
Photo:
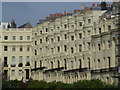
{"points": [[105, 43]]}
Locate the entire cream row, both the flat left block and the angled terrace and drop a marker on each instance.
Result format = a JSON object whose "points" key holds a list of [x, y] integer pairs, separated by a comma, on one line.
{"points": [[68, 47]]}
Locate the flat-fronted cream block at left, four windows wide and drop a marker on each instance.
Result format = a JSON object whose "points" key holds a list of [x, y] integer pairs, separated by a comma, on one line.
{"points": [[16, 53]]}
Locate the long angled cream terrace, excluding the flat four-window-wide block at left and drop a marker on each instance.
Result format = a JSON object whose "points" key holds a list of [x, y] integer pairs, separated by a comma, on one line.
{"points": [[75, 47]]}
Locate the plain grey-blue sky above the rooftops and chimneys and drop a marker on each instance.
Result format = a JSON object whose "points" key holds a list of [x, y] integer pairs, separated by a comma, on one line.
{"points": [[23, 12]]}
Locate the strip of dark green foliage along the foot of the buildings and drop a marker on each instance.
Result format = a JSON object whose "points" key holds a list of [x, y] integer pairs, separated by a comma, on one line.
{"points": [[57, 85]]}
